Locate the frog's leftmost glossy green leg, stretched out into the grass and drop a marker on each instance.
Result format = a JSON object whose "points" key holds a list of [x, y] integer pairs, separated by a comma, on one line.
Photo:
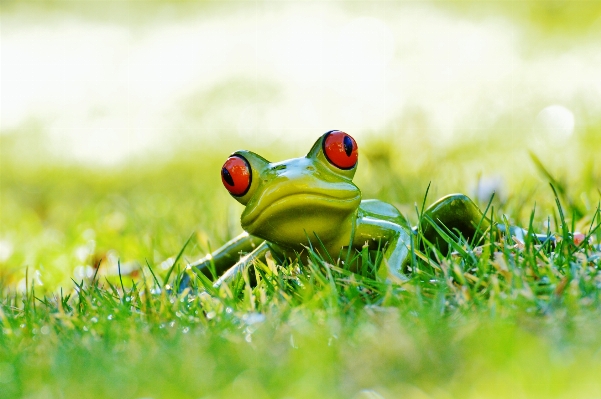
{"points": [[223, 258]]}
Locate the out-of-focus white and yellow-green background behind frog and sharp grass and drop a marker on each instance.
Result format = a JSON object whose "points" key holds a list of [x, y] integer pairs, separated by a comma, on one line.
{"points": [[116, 116]]}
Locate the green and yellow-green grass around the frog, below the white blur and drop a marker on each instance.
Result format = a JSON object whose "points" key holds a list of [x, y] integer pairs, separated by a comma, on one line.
{"points": [[86, 310]]}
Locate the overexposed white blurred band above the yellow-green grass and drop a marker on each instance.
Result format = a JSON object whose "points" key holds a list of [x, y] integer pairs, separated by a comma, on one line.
{"points": [[105, 91]]}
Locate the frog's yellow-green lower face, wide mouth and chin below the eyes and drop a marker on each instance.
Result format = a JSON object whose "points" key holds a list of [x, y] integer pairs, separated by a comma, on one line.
{"points": [[296, 218]]}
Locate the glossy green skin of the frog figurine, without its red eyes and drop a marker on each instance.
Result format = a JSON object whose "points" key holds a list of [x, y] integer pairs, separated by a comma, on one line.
{"points": [[307, 201]]}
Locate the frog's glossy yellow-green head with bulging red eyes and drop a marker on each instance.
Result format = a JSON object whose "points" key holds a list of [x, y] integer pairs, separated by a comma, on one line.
{"points": [[288, 201]]}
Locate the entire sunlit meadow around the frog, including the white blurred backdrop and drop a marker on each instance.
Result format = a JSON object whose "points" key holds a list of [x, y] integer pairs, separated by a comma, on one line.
{"points": [[115, 122]]}
